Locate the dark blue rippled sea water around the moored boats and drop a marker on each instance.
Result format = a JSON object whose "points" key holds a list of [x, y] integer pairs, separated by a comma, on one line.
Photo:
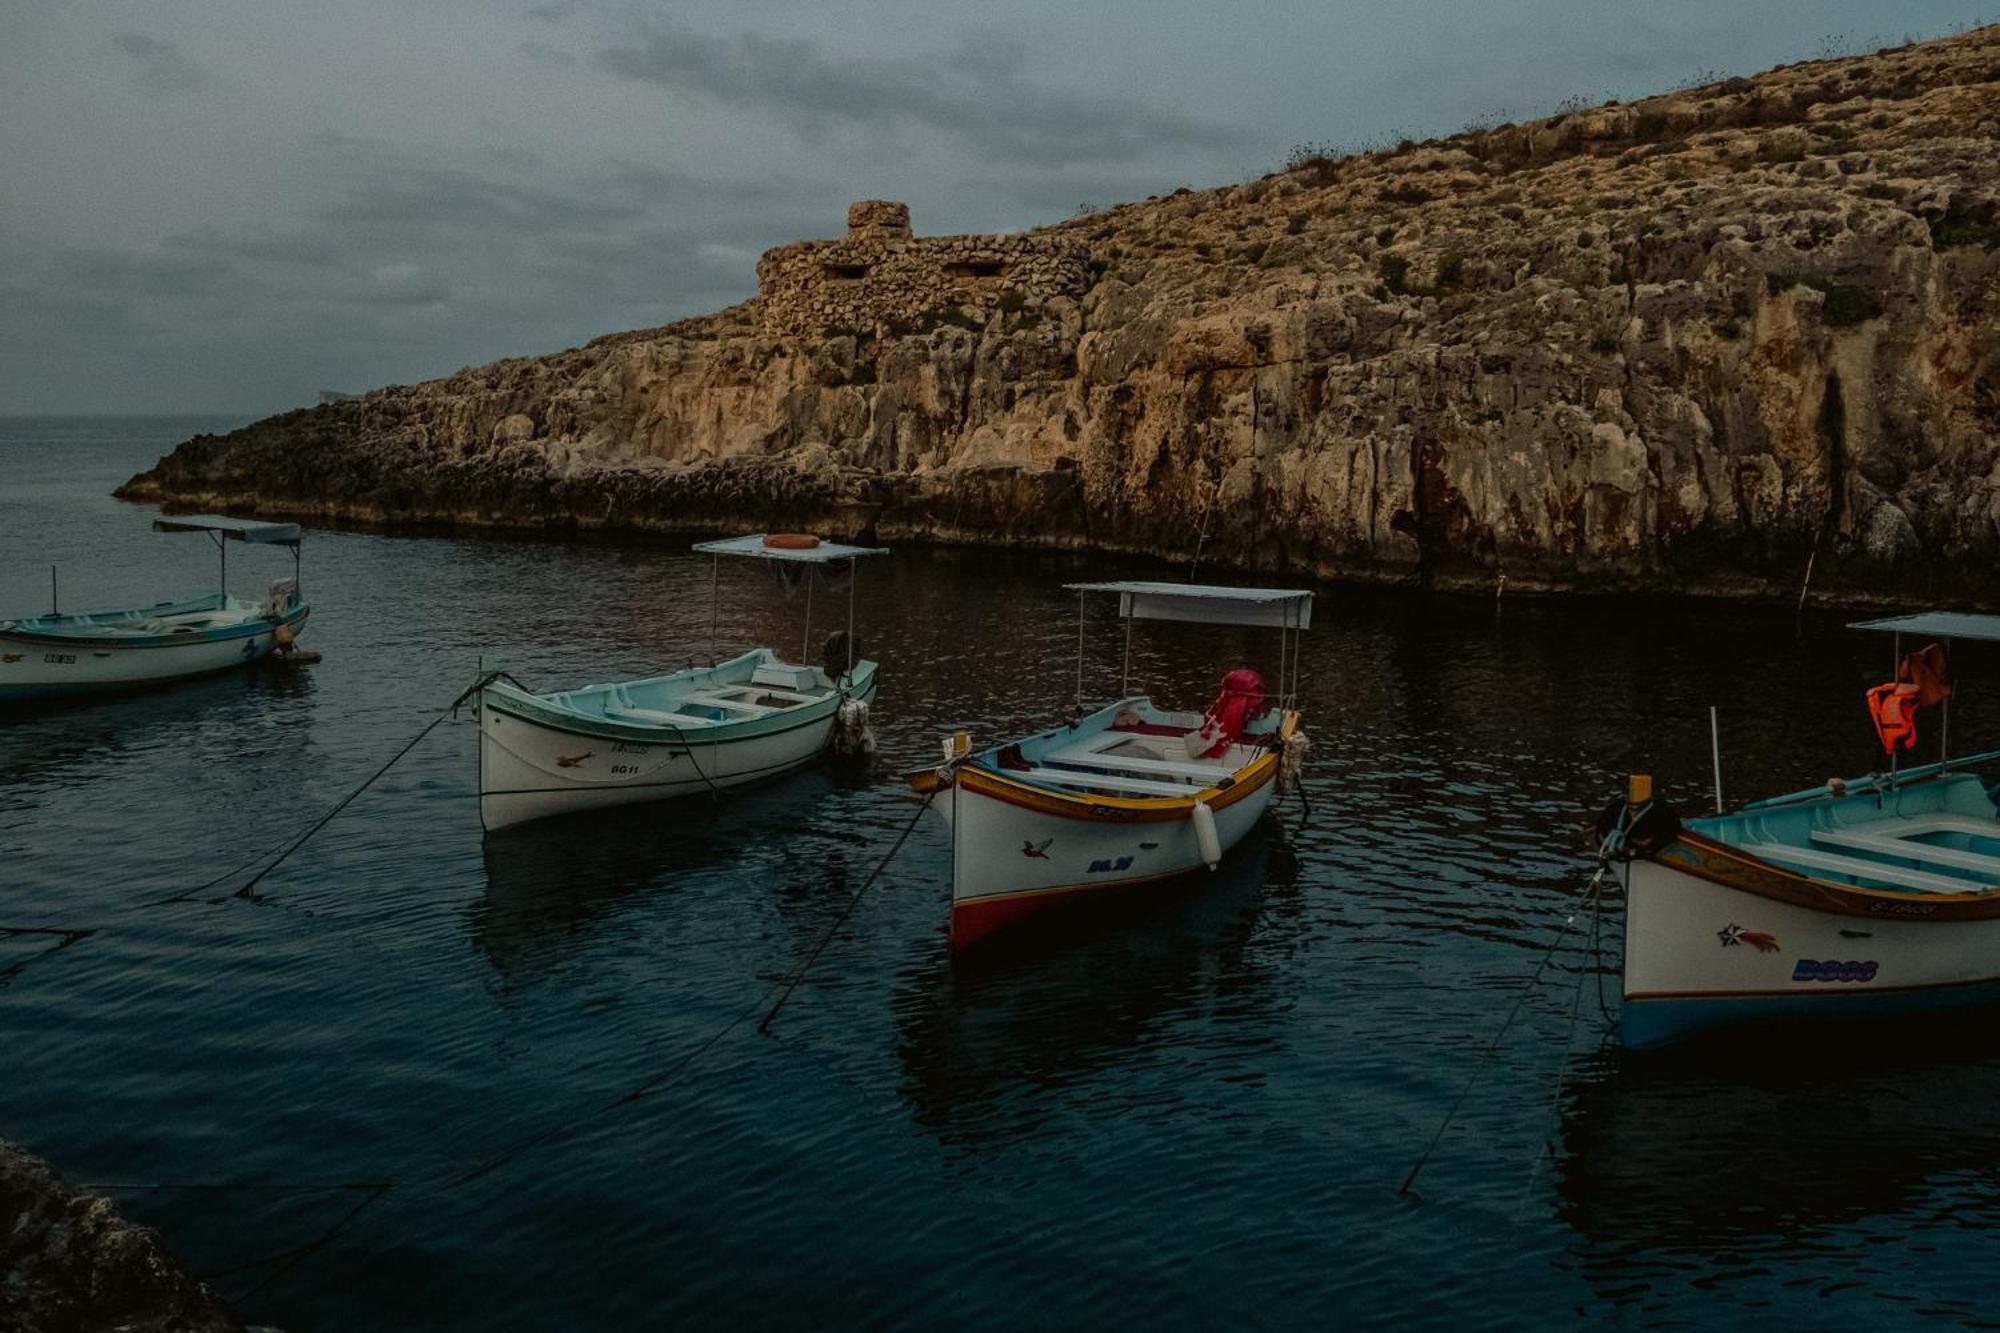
{"points": [[1185, 1116]]}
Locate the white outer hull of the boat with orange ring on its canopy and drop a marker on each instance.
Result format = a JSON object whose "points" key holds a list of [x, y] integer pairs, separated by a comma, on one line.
{"points": [[537, 770]]}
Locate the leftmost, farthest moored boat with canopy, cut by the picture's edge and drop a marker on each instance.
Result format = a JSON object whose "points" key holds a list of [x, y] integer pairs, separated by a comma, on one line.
{"points": [[99, 651]]}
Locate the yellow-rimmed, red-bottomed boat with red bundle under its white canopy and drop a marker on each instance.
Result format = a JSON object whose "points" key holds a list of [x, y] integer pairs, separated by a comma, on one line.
{"points": [[1129, 796]]}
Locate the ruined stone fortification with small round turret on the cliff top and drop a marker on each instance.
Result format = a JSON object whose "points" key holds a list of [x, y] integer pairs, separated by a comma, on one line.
{"points": [[881, 277]]}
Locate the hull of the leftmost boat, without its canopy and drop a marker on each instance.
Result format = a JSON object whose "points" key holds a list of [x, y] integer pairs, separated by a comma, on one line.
{"points": [[37, 668]]}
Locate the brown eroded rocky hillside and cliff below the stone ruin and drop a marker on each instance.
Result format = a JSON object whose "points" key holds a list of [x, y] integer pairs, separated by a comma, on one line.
{"points": [[1685, 343]]}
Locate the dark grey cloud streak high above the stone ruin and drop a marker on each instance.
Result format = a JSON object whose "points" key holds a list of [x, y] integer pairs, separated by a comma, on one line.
{"points": [[977, 93]]}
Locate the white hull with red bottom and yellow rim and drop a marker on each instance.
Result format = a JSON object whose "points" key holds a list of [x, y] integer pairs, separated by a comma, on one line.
{"points": [[1021, 854]]}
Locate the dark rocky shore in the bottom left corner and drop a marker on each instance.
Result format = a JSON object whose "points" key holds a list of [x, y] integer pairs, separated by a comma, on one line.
{"points": [[71, 1264]]}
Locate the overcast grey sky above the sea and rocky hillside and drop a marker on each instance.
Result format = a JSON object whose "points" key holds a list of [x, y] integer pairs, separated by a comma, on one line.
{"points": [[213, 205]]}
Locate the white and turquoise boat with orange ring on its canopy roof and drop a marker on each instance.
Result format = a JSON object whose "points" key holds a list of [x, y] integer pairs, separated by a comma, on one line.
{"points": [[685, 734]]}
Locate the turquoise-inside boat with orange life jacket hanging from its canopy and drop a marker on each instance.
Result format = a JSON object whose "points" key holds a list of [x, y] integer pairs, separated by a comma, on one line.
{"points": [[1865, 898]]}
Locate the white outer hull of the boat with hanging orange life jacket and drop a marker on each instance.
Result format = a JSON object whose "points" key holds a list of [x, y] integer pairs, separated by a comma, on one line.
{"points": [[1705, 956]]}
